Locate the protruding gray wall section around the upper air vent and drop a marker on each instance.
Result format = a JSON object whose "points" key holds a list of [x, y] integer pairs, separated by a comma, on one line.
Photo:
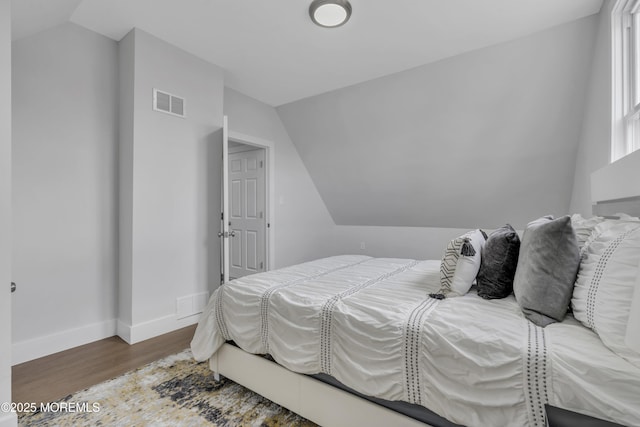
{"points": [[170, 184]]}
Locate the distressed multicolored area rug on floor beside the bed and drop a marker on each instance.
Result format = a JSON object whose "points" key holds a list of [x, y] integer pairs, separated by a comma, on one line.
{"points": [[175, 391]]}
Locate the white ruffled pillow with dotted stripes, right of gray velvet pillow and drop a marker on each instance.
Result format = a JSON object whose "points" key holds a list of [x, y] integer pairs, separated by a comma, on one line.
{"points": [[605, 284]]}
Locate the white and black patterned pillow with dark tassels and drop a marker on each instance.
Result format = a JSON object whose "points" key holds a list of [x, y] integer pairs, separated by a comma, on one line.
{"points": [[460, 264]]}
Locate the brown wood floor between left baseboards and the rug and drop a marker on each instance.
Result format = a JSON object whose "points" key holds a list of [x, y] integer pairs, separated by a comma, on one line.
{"points": [[53, 377]]}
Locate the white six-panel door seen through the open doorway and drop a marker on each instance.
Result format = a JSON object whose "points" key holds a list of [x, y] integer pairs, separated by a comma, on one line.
{"points": [[247, 216]]}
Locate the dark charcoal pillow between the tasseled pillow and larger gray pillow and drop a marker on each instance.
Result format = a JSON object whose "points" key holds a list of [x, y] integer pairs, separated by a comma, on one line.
{"points": [[498, 264]]}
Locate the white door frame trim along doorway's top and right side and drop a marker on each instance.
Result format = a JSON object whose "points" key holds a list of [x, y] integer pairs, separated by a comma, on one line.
{"points": [[270, 156]]}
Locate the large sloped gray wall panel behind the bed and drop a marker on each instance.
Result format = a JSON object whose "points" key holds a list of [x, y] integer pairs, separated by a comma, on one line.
{"points": [[479, 139]]}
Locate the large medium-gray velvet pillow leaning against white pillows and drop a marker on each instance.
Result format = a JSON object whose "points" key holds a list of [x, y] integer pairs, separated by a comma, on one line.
{"points": [[547, 269]]}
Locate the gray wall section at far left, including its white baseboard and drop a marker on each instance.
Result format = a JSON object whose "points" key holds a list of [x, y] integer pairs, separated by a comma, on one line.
{"points": [[65, 138]]}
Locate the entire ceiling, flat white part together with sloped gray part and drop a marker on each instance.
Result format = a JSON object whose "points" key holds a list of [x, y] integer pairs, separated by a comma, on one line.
{"points": [[484, 136]]}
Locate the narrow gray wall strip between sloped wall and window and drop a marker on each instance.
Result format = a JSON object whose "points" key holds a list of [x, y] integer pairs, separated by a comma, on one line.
{"points": [[594, 151]]}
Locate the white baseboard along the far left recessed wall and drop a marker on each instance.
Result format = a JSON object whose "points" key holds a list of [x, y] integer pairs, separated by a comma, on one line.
{"points": [[24, 351]]}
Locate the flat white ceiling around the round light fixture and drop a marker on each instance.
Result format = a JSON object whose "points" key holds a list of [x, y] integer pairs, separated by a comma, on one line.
{"points": [[271, 50]]}
